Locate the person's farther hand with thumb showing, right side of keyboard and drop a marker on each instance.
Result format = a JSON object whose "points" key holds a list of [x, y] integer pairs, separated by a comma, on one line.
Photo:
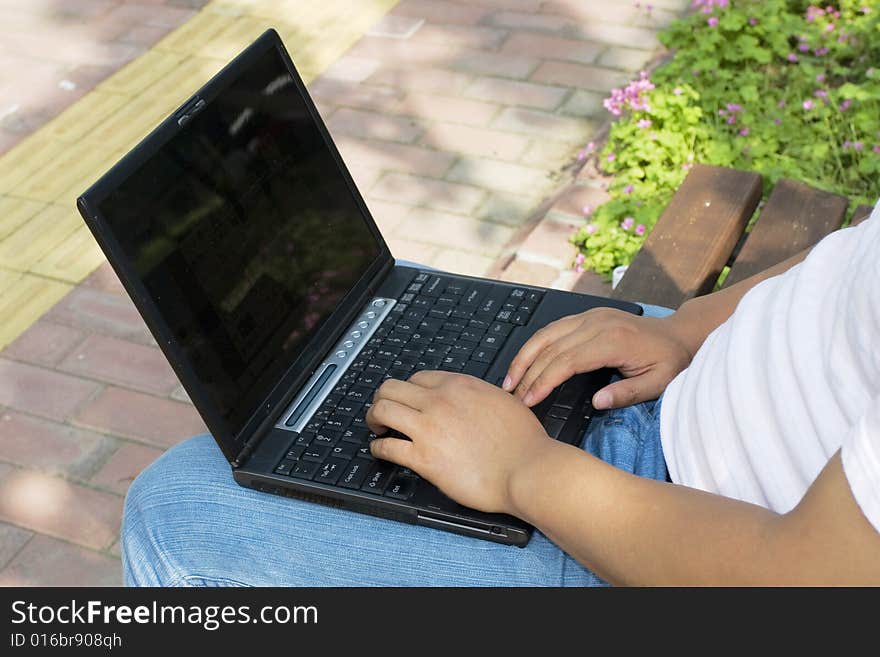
{"points": [[648, 351]]}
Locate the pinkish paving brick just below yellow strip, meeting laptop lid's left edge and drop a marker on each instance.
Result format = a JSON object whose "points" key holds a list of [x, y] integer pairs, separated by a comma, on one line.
{"points": [[105, 312]]}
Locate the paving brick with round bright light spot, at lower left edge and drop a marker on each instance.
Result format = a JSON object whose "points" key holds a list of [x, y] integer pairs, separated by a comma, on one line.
{"points": [[49, 505]]}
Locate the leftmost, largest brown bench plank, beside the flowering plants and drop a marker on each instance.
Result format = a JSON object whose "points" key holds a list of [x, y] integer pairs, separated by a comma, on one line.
{"points": [[689, 246]]}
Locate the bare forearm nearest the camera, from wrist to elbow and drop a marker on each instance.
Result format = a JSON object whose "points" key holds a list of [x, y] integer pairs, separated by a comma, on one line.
{"points": [[635, 531]]}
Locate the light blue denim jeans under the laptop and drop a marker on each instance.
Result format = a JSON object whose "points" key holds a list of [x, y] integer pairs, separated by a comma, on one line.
{"points": [[187, 523]]}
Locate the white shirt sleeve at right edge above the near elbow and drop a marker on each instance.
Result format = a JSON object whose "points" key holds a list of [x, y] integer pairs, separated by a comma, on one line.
{"points": [[860, 454]]}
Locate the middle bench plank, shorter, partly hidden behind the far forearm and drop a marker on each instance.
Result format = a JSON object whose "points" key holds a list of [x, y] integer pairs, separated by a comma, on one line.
{"points": [[795, 218]]}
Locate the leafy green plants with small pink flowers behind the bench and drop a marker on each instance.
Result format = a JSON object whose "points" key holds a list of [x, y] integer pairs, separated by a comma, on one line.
{"points": [[781, 87]]}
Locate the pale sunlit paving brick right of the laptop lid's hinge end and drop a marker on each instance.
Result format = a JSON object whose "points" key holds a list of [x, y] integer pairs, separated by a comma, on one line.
{"points": [[454, 231]]}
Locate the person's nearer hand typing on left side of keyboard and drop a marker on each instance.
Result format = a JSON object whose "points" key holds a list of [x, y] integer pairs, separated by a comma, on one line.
{"points": [[467, 437]]}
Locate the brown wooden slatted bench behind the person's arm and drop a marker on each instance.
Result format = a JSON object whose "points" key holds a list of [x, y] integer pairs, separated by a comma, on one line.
{"points": [[703, 229]]}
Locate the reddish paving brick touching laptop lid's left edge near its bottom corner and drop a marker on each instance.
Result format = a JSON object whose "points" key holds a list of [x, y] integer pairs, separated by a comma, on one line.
{"points": [[130, 414]]}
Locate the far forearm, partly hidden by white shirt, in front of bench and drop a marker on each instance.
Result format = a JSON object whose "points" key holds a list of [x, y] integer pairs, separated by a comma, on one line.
{"points": [[698, 317]]}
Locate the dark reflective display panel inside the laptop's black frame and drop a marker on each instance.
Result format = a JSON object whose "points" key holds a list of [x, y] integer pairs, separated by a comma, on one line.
{"points": [[245, 234]]}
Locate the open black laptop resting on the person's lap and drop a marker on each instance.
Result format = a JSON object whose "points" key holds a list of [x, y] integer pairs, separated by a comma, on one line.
{"points": [[240, 236]]}
